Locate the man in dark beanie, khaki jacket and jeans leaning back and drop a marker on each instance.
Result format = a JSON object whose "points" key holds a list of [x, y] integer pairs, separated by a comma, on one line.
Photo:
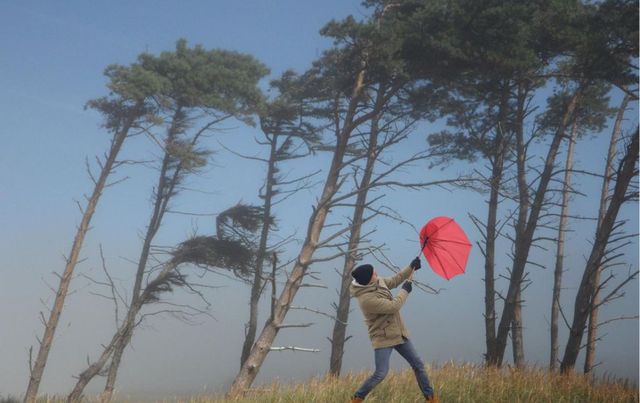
{"points": [[387, 331]]}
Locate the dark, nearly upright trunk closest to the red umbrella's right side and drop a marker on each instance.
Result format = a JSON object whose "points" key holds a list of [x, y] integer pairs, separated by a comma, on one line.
{"points": [[491, 234]]}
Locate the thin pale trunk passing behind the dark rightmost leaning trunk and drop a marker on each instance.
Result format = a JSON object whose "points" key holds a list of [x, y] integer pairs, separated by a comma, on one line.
{"points": [[608, 172]]}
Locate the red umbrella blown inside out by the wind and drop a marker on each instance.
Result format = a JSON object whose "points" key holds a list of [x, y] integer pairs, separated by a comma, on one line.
{"points": [[445, 246]]}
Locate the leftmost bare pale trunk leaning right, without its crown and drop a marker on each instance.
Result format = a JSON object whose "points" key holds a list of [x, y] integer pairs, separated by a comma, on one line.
{"points": [[50, 328]]}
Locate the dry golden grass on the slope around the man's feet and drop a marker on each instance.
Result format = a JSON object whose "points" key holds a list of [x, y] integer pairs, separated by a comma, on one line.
{"points": [[453, 383]]}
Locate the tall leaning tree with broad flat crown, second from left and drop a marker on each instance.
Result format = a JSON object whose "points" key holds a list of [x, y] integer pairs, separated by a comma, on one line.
{"points": [[202, 87]]}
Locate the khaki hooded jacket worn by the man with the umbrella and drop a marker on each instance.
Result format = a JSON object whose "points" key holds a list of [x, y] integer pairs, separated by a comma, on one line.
{"points": [[381, 311]]}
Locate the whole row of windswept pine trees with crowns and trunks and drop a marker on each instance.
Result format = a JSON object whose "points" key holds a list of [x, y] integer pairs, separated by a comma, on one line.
{"points": [[481, 65]]}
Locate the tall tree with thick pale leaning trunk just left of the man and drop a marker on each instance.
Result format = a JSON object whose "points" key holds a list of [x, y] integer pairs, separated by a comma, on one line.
{"points": [[339, 85]]}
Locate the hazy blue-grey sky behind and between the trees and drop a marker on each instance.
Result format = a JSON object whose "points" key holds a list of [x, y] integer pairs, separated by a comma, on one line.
{"points": [[53, 55]]}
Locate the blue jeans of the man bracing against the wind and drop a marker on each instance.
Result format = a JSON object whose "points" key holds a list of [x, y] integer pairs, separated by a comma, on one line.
{"points": [[382, 356]]}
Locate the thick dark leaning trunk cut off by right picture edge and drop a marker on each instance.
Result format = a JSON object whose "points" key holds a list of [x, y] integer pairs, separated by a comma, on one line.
{"points": [[584, 299]]}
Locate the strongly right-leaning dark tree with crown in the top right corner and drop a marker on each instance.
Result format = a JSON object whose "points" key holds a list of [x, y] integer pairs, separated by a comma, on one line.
{"points": [[597, 58]]}
